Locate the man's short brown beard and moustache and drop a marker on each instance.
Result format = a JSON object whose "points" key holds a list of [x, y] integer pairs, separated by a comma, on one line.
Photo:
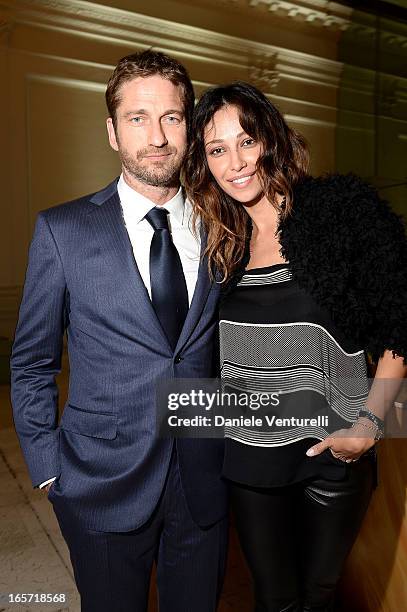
{"points": [[159, 174]]}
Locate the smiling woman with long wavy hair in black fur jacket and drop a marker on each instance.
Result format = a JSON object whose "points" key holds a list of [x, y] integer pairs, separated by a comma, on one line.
{"points": [[314, 275]]}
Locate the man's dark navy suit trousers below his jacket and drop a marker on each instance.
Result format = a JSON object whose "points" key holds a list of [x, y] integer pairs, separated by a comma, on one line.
{"points": [[113, 570]]}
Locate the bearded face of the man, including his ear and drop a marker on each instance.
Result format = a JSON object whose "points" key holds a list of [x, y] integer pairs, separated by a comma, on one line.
{"points": [[150, 134]]}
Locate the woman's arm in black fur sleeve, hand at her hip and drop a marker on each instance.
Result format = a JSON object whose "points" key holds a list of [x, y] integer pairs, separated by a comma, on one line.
{"points": [[377, 252]]}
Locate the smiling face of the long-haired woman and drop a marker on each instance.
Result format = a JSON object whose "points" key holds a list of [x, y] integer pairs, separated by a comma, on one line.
{"points": [[232, 155]]}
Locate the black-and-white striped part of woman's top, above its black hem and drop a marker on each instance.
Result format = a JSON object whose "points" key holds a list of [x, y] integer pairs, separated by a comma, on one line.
{"points": [[267, 347]]}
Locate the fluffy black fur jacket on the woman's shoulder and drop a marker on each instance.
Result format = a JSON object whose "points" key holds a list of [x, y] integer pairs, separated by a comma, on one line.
{"points": [[348, 250]]}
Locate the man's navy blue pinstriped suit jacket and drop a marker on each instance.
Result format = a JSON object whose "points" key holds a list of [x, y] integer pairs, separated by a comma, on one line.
{"points": [[111, 468]]}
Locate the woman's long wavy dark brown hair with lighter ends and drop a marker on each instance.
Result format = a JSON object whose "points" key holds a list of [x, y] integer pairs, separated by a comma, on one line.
{"points": [[283, 162]]}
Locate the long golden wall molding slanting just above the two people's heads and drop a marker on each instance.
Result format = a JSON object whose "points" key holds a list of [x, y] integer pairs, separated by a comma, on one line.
{"points": [[119, 26]]}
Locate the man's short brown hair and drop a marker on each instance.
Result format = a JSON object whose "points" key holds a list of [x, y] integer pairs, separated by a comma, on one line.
{"points": [[145, 64]]}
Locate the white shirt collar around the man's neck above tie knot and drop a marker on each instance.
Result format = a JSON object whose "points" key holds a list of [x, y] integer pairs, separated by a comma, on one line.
{"points": [[137, 206]]}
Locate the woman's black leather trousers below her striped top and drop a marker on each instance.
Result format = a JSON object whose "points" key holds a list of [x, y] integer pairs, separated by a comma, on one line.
{"points": [[296, 538]]}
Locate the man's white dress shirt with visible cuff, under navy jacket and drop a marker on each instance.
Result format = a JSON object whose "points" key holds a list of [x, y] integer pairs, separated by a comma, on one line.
{"points": [[135, 207]]}
